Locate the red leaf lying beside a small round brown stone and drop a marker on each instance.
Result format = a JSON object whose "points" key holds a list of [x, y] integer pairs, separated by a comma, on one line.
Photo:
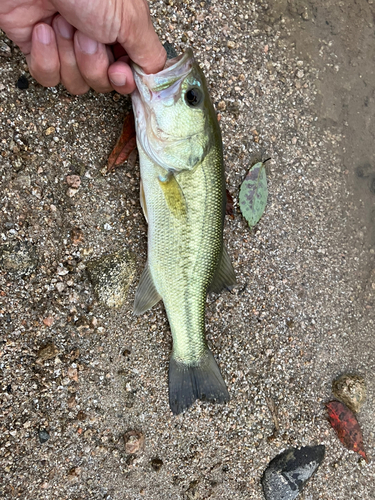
{"points": [[346, 426]]}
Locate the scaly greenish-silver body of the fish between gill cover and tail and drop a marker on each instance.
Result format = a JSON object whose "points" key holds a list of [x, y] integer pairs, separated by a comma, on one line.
{"points": [[183, 253]]}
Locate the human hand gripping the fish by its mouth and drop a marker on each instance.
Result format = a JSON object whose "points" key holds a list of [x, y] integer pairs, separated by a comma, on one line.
{"points": [[74, 47]]}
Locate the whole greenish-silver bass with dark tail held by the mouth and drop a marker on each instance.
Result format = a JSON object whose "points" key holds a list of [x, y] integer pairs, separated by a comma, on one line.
{"points": [[183, 197]]}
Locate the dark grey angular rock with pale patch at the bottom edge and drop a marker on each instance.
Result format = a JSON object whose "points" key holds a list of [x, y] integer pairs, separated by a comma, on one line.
{"points": [[288, 472]]}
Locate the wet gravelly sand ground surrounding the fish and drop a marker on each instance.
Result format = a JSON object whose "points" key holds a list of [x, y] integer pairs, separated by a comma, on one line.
{"points": [[294, 81]]}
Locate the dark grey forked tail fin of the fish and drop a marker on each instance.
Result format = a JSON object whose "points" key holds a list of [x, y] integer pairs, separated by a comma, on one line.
{"points": [[202, 381]]}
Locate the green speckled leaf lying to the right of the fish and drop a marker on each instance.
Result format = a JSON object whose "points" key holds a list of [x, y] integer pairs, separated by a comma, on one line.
{"points": [[253, 194]]}
